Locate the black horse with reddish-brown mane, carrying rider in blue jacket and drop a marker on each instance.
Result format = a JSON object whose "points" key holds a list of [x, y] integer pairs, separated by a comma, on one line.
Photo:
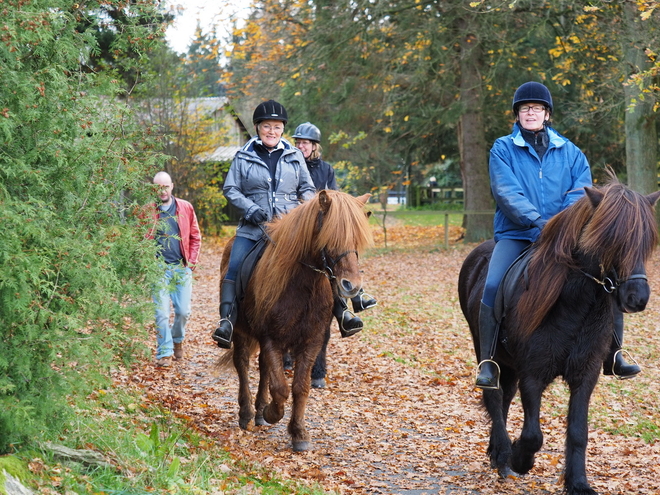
{"points": [[559, 318]]}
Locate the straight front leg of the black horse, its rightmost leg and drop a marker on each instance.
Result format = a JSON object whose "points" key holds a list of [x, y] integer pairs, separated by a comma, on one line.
{"points": [[575, 477]]}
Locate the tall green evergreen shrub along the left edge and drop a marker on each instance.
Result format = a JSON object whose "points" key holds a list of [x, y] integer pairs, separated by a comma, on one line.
{"points": [[75, 269]]}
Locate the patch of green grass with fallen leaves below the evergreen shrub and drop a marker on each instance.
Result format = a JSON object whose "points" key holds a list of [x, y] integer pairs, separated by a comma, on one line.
{"points": [[148, 450]]}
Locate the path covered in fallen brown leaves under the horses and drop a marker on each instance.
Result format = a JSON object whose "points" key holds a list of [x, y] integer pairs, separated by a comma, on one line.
{"points": [[400, 414]]}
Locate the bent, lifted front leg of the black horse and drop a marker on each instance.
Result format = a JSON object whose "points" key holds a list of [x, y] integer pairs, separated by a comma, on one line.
{"points": [[531, 436]]}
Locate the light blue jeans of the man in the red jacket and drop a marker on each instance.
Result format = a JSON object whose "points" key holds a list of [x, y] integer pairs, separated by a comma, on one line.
{"points": [[175, 286]]}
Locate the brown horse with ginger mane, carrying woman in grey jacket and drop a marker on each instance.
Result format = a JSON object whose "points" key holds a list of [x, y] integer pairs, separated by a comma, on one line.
{"points": [[312, 252]]}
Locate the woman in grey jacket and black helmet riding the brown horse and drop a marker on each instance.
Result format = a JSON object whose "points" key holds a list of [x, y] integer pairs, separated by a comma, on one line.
{"points": [[267, 178]]}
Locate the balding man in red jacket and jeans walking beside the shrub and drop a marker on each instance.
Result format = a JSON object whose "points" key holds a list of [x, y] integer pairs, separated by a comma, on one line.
{"points": [[176, 230]]}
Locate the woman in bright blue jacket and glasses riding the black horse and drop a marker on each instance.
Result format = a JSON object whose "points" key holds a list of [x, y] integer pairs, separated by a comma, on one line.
{"points": [[535, 173]]}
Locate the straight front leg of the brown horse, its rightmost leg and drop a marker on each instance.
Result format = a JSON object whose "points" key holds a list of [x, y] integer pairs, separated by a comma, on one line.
{"points": [[300, 391]]}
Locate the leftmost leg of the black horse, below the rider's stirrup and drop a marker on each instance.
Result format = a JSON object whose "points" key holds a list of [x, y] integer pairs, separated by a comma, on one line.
{"points": [[497, 404]]}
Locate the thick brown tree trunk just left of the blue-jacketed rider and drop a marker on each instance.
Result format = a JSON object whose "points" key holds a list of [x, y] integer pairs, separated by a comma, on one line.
{"points": [[472, 140]]}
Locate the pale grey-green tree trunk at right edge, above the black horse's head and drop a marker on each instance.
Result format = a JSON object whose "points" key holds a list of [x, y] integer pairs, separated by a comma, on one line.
{"points": [[641, 133]]}
